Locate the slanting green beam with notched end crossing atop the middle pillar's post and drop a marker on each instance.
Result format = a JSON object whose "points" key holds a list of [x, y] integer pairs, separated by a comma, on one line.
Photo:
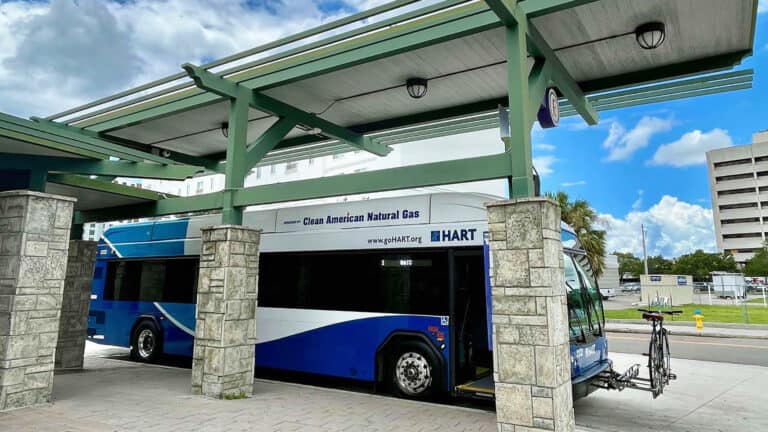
{"points": [[260, 101]]}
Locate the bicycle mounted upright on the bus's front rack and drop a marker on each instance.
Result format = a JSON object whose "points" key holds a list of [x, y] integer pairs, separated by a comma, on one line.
{"points": [[659, 363]]}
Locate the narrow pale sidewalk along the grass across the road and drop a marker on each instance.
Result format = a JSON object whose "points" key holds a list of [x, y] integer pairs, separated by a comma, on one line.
{"points": [[689, 329]]}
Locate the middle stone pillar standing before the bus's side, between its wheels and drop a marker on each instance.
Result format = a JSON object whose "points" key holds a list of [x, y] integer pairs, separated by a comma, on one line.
{"points": [[225, 332]]}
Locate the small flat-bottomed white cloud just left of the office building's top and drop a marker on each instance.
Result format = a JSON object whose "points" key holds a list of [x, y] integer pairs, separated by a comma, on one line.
{"points": [[691, 148]]}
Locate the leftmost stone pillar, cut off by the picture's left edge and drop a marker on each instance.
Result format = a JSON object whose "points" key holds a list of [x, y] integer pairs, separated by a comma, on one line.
{"points": [[34, 235]]}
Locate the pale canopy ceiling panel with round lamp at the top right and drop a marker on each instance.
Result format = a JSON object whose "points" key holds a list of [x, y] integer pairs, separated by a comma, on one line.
{"points": [[588, 42]]}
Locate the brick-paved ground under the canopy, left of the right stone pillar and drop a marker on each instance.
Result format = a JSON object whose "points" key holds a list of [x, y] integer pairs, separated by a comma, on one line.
{"points": [[114, 395]]}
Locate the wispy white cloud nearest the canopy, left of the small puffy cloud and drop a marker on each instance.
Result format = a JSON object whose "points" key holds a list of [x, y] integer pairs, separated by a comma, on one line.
{"points": [[621, 143]]}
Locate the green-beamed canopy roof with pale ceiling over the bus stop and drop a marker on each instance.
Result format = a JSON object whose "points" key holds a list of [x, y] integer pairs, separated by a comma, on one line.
{"points": [[341, 87]]}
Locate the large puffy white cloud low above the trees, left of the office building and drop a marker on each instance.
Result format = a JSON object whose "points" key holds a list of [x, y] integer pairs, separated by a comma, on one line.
{"points": [[673, 227]]}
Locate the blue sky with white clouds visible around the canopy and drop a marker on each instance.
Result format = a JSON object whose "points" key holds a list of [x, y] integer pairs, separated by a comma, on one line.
{"points": [[641, 165]]}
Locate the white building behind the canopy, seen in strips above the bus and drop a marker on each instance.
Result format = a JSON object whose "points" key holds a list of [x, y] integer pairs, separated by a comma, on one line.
{"points": [[453, 147]]}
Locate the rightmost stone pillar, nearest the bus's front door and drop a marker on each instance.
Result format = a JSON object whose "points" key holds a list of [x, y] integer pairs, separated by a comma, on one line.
{"points": [[531, 356]]}
